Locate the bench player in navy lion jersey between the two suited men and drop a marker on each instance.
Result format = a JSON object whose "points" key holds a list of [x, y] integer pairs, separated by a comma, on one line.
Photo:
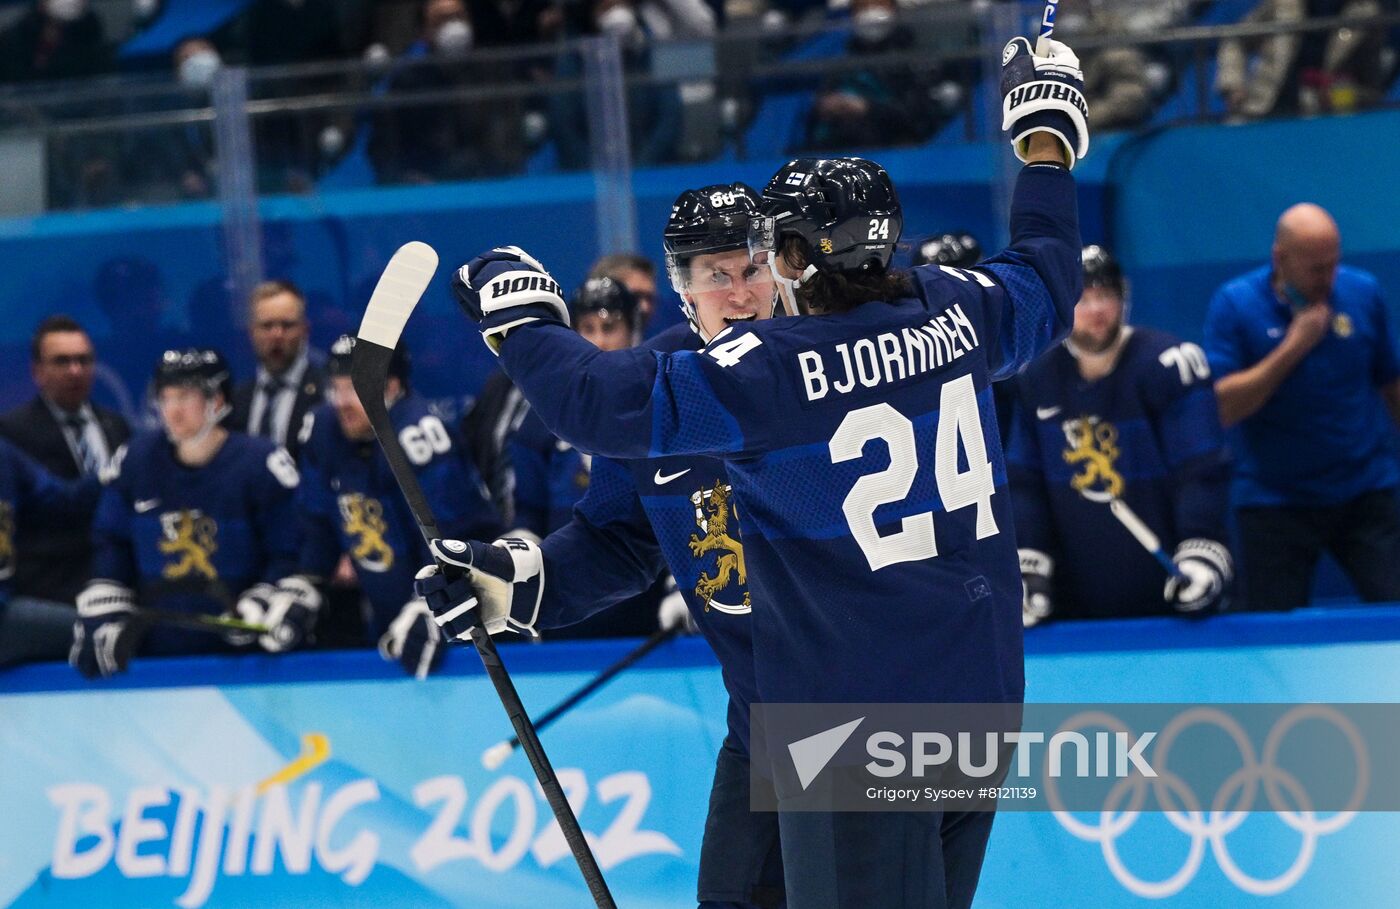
{"points": [[195, 519]]}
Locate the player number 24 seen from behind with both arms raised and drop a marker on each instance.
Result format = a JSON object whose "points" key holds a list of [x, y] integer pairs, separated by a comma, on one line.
{"points": [[860, 450]]}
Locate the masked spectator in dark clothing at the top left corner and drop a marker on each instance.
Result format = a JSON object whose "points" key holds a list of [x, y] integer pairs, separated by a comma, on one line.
{"points": [[54, 40]]}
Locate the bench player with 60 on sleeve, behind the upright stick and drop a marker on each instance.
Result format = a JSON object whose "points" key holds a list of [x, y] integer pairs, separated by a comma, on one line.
{"points": [[351, 504]]}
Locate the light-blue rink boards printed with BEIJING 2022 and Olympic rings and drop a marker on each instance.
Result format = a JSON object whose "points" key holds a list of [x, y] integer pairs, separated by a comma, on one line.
{"points": [[159, 791]]}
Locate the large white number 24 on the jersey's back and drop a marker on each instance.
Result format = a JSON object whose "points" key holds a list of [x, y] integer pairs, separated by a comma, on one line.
{"points": [[958, 418]]}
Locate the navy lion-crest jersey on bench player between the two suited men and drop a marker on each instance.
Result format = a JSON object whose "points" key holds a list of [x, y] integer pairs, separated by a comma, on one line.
{"points": [[192, 540]]}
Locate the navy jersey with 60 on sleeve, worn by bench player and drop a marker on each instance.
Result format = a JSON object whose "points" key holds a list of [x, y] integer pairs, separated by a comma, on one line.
{"points": [[351, 504]]}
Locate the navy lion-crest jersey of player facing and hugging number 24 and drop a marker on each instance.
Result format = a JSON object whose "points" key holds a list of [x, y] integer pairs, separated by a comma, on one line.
{"points": [[645, 516]]}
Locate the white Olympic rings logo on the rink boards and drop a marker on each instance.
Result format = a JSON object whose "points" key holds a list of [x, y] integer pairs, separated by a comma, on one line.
{"points": [[1212, 826]]}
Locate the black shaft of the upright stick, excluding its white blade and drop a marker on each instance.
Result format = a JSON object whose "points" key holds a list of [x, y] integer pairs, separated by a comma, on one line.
{"points": [[369, 375]]}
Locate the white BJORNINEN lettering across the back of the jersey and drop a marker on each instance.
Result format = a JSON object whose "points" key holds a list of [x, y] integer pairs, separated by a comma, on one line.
{"points": [[890, 356]]}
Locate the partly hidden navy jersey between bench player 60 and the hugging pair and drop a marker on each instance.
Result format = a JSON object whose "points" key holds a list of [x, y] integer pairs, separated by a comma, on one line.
{"points": [[549, 477]]}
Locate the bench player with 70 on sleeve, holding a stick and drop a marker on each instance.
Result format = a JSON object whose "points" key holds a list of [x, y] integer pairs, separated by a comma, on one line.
{"points": [[1118, 412]]}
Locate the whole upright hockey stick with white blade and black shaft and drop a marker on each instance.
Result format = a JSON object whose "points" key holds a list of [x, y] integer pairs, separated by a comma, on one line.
{"points": [[394, 299]]}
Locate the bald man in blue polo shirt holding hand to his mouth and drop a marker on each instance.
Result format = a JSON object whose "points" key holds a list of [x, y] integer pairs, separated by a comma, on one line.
{"points": [[1307, 370]]}
